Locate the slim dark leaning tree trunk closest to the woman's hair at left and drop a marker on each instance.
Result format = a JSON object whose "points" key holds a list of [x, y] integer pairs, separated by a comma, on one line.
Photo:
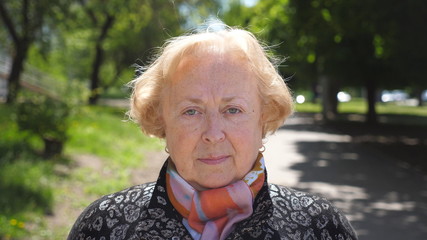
{"points": [[97, 61]]}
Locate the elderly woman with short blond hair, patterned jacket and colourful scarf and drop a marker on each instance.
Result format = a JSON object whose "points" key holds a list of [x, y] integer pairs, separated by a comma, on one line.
{"points": [[213, 97]]}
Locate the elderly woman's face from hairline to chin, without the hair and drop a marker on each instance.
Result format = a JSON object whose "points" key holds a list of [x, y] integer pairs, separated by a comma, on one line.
{"points": [[211, 112]]}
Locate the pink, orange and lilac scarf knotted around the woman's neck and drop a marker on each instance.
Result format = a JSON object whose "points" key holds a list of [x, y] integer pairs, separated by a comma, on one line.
{"points": [[213, 212]]}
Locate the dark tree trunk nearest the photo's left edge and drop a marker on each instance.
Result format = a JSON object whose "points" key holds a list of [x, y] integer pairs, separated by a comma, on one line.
{"points": [[16, 70]]}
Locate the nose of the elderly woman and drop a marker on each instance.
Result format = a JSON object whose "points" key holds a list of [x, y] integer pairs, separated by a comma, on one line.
{"points": [[214, 130]]}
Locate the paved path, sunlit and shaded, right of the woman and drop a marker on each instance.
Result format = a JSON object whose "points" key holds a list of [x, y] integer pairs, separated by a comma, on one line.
{"points": [[382, 197]]}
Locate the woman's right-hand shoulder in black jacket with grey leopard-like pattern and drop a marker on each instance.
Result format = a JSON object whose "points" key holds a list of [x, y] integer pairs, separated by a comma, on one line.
{"points": [[307, 215]]}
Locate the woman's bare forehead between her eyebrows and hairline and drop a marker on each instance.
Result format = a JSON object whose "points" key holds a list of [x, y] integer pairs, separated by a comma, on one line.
{"points": [[213, 75]]}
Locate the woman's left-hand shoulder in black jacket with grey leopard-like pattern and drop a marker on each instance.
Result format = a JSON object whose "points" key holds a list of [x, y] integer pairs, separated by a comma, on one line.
{"points": [[112, 213]]}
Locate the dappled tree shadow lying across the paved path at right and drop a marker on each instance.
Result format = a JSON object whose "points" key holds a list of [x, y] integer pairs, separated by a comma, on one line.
{"points": [[381, 197]]}
